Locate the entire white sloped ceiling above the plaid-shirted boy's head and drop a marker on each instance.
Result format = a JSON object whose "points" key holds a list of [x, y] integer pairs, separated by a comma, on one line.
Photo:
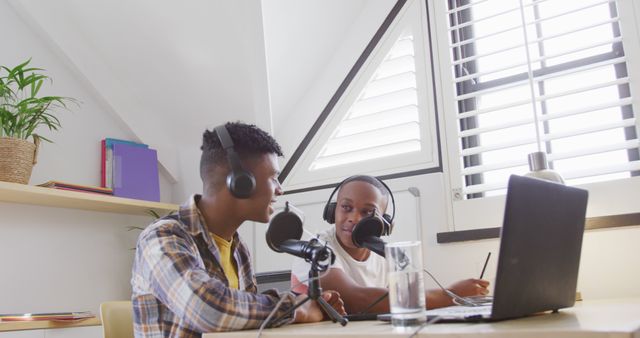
{"points": [[178, 67]]}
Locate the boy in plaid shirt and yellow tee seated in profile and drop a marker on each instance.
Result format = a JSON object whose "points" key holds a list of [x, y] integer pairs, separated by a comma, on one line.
{"points": [[192, 272]]}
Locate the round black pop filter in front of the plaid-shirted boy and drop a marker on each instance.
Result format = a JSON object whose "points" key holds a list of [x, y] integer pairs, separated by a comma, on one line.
{"points": [[285, 225]]}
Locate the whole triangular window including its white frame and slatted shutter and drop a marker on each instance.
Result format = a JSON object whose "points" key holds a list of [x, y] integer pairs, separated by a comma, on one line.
{"points": [[385, 121]]}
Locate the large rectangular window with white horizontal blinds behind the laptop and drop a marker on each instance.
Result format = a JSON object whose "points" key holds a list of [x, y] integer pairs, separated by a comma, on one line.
{"points": [[537, 75]]}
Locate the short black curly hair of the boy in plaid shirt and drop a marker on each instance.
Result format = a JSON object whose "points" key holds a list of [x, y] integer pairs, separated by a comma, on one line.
{"points": [[248, 141]]}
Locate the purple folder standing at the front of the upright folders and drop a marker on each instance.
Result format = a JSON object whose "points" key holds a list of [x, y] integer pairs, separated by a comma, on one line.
{"points": [[135, 172]]}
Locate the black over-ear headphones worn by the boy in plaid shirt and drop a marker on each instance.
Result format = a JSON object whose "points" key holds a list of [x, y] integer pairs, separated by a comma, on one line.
{"points": [[240, 182]]}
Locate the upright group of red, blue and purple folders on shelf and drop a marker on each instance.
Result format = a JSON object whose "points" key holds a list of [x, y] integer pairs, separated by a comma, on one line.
{"points": [[130, 169]]}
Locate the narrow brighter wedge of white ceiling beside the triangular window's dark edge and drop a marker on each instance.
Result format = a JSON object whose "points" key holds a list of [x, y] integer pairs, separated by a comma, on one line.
{"points": [[301, 38]]}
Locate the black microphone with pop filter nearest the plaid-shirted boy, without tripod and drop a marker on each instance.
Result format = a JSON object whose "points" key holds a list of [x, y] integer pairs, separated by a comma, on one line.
{"points": [[284, 233]]}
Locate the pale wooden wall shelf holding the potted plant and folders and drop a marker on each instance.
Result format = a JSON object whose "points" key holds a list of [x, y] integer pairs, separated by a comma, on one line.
{"points": [[28, 194]]}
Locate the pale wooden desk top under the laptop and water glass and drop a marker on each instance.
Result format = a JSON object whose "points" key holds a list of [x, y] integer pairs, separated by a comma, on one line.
{"points": [[598, 318]]}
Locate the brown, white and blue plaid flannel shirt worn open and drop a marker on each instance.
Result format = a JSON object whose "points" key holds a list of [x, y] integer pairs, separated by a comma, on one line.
{"points": [[180, 289]]}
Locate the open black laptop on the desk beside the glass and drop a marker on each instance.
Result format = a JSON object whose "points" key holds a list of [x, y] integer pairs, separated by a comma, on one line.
{"points": [[540, 246]]}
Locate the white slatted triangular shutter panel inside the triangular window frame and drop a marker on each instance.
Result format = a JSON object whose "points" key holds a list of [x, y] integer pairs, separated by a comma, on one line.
{"points": [[384, 120]]}
